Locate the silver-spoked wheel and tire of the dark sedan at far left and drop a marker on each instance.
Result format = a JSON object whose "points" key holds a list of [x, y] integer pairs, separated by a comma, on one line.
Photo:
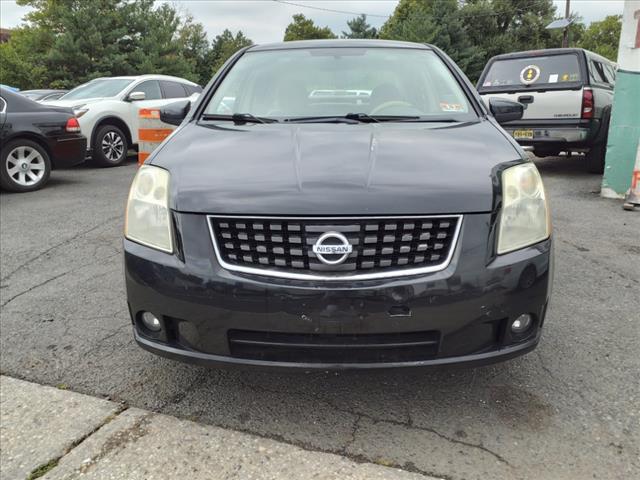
{"points": [[25, 166]]}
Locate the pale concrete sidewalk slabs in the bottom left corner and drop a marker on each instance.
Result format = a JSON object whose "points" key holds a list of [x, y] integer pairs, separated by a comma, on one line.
{"points": [[61, 435]]}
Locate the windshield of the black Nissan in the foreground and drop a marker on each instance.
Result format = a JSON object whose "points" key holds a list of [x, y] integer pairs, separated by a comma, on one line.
{"points": [[334, 82]]}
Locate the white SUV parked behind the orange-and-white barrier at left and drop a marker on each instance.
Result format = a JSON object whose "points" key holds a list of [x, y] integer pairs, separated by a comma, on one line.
{"points": [[107, 110]]}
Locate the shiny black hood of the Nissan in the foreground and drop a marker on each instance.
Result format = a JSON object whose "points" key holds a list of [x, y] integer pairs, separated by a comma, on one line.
{"points": [[334, 169]]}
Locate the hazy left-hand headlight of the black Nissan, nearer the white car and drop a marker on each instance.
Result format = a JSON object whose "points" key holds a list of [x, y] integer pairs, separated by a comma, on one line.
{"points": [[148, 219]]}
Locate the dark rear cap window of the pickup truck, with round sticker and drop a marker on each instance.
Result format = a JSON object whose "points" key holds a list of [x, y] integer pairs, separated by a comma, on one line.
{"points": [[554, 70]]}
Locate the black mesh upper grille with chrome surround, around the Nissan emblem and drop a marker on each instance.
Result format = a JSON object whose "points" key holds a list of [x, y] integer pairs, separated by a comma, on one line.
{"points": [[382, 246]]}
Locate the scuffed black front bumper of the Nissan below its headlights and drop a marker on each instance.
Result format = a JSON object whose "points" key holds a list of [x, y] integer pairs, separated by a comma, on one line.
{"points": [[465, 310]]}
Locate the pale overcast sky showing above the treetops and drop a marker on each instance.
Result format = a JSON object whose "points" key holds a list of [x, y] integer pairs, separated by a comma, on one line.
{"points": [[265, 20]]}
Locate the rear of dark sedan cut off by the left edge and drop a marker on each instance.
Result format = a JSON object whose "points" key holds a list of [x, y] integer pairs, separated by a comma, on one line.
{"points": [[34, 140]]}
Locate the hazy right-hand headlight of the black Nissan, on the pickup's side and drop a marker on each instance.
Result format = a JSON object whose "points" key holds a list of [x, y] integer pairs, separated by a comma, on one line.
{"points": [[525, 218]]}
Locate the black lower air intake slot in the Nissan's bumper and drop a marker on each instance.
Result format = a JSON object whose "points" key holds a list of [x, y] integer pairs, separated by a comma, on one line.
{"points": [[326, 348]]}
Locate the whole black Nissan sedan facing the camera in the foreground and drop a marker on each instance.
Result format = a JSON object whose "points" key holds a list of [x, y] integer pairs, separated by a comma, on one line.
{"points": [[338, 204]]}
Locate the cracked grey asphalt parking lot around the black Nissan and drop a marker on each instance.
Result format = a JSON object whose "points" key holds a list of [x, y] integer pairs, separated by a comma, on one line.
{"points": [[569, 410]]}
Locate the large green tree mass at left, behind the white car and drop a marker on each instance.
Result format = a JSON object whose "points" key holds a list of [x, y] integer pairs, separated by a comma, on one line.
{"points": [[67, 42]]}
